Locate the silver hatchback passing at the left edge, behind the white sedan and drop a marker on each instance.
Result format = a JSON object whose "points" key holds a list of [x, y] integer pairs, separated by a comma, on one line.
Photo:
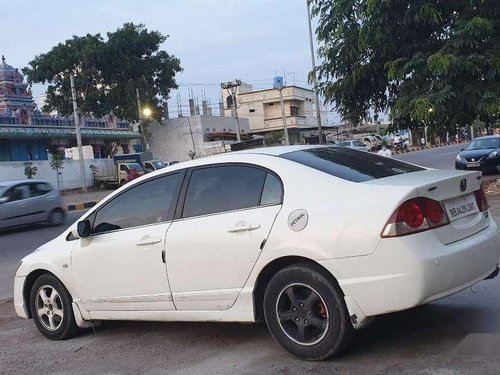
{"points": [[29, 201]]}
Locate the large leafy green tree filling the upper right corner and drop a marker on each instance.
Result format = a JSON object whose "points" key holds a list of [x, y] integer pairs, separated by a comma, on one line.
{"points": [[430, 62]]}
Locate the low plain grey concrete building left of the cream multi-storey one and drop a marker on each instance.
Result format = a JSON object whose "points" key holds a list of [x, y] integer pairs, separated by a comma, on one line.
{"points": [[184, 138]]}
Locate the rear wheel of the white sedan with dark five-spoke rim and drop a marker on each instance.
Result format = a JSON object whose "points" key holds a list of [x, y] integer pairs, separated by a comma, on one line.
{"points": [[303, 296]]}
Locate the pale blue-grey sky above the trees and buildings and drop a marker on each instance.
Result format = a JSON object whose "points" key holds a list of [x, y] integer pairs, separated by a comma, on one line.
{"points": [[216, 40]]}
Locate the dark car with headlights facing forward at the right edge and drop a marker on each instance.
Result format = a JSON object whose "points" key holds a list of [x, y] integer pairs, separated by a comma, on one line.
{"points": [[481, 154]]}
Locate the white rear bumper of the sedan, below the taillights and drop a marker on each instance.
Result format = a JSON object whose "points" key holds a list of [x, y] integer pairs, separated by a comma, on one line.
{"points": [[408, 271]]}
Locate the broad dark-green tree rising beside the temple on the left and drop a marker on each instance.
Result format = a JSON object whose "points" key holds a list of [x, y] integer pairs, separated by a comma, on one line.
{"points": [[107, 72]]}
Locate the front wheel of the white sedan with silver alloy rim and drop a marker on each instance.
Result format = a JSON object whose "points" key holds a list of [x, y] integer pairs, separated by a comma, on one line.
{"points": [[51, 308]]}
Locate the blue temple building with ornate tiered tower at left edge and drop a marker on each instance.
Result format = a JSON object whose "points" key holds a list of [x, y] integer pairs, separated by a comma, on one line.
{"points": [[27, 134]]}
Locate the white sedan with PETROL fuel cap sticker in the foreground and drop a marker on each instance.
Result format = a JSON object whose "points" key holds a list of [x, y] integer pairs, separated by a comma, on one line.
{"points": [[315, 241]]}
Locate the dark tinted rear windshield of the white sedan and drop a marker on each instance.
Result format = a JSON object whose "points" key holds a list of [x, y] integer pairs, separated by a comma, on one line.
{"points": [[351, 165]]}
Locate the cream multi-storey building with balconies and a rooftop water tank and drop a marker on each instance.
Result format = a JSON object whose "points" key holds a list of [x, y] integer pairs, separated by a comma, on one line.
{"points": [[262, 108]]}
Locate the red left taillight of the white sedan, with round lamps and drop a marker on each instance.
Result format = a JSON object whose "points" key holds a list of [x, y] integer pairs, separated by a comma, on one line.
{"points": [[413, 216]]}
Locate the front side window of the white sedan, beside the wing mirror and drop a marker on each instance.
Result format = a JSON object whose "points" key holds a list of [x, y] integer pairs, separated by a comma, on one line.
{"points": [[147, 203]]}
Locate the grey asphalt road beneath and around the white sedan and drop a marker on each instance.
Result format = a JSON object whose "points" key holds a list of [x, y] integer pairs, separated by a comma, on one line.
{"points": [[459, 334]]}
